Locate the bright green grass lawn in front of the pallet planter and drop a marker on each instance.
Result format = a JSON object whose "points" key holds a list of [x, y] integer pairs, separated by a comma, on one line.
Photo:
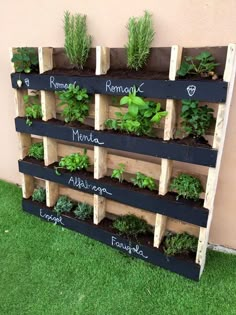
{"points": [[47, 270]]}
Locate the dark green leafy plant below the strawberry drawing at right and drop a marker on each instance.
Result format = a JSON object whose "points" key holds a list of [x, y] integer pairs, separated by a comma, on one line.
{"points": [[196, 120]]}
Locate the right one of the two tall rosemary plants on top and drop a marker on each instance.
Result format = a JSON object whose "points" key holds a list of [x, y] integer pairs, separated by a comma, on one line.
{"points": [[140, 37]]}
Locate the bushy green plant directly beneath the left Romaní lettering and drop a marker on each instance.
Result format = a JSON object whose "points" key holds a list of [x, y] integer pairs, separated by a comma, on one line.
{"points": [[76, 101]]}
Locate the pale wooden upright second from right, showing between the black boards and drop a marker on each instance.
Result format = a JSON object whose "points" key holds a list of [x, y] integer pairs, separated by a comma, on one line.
{"points": [[167, 165]]}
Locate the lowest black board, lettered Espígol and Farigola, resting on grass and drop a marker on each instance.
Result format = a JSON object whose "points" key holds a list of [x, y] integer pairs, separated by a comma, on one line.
{"points": [[185, 268]]}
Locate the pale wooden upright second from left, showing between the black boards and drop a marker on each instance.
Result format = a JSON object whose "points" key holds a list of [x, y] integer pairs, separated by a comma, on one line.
{"points": [[49, 111]]}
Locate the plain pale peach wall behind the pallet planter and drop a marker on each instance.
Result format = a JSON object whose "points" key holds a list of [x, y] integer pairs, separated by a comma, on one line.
{"points": [[183, 22]]}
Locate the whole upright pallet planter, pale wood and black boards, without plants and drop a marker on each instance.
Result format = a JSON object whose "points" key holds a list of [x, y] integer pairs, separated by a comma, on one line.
{"points": [[161, 158]]}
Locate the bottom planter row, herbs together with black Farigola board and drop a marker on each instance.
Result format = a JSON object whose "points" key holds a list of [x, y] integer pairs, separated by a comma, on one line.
{"points": [[129, 234]]}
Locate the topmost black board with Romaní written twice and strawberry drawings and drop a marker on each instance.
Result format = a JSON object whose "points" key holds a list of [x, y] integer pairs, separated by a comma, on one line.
{"points": [[212, 91]]}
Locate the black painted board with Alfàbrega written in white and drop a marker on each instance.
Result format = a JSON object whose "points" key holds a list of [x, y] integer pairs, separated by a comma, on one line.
{"points": [[157, 204]]}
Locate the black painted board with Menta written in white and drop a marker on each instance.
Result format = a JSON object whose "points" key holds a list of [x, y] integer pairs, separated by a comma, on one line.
{"points": [[151, 147]]}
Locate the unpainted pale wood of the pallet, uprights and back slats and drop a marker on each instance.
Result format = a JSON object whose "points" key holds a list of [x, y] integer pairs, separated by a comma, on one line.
{"points": [[104, 159]]}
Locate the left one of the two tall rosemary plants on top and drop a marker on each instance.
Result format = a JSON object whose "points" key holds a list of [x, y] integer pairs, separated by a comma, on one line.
{"points": [[77, 41]]}
